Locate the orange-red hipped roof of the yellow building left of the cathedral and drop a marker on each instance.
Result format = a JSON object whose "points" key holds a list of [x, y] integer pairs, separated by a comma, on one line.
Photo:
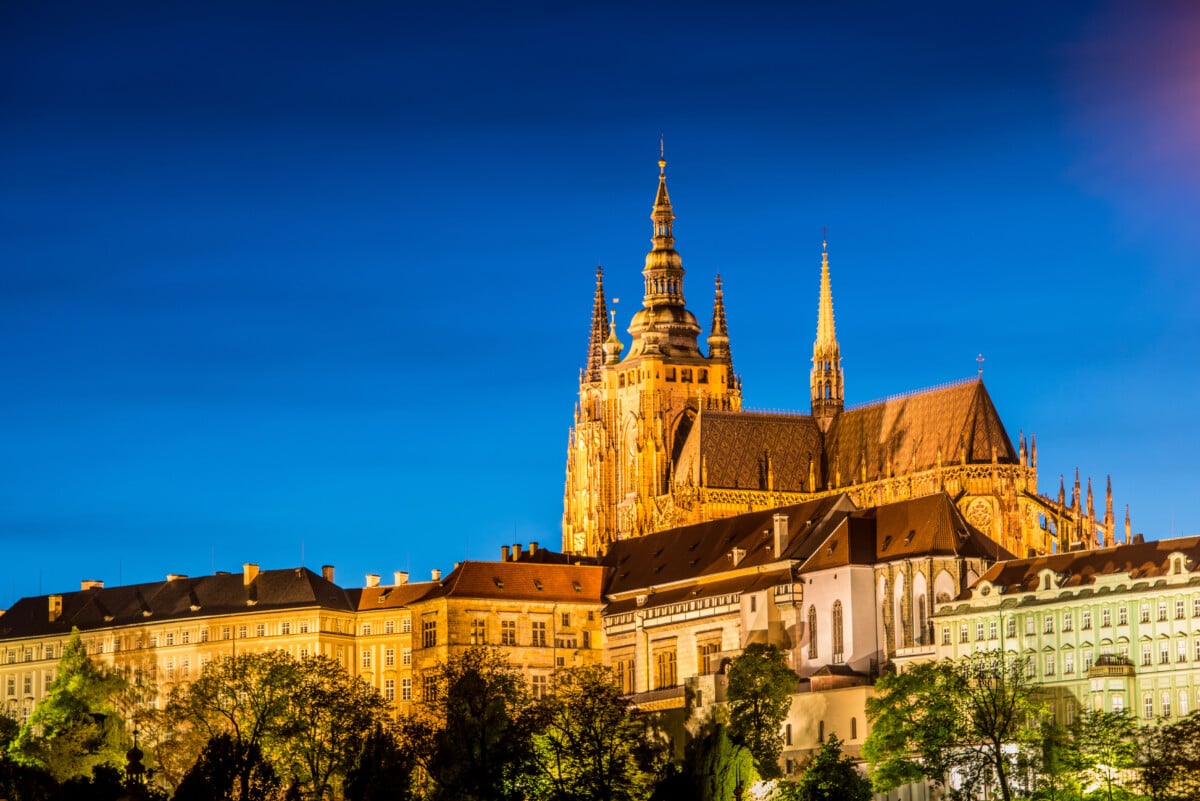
{"points": [[524, 582]]}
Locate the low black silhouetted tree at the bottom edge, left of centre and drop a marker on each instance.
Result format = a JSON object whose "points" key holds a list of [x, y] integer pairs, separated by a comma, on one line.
{"points": [[230, 770]]}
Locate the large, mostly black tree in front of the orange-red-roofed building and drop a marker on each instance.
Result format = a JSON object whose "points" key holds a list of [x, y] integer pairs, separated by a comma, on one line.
{"points": [[475, 738]]}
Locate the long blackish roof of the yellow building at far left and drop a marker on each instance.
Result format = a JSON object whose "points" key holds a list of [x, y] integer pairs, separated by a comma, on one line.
{"points": [[177, 599]]}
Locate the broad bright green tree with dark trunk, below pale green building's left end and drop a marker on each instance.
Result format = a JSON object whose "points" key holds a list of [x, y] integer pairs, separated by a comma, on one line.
{"points": [[962, 715]]}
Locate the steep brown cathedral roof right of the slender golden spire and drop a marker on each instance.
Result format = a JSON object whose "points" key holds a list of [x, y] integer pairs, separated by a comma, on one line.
{"points": [[914, 430]]}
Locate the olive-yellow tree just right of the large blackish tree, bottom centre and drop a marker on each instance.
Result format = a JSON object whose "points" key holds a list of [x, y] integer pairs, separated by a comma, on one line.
{"points": [[590, 745]]}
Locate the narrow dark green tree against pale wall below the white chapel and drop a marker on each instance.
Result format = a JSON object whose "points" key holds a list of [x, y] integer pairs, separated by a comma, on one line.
{"points": [[760, 695]]}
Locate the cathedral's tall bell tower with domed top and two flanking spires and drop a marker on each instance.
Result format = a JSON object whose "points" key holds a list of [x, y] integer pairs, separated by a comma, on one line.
{"points": [[638, 406]]}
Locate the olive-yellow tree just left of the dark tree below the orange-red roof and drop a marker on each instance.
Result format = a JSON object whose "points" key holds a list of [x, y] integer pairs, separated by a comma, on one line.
{"points": [[329, 714]]}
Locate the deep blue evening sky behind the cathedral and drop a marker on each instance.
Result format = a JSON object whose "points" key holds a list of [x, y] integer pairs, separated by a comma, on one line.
{"points": [[311, 282]]}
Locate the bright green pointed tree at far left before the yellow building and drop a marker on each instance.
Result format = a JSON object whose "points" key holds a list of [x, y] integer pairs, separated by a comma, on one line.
{"points": [[76, 727]]}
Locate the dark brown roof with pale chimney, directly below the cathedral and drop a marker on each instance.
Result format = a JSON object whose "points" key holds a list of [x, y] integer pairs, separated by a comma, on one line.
{"points": [[705, 549]]}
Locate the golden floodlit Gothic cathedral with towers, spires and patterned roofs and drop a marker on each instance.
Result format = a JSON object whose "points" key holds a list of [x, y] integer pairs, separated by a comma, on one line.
{"points": [[661, 439]]}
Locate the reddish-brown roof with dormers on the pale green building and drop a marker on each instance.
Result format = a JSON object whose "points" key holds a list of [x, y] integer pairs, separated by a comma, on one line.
{"points": [[1081, 568]]}
